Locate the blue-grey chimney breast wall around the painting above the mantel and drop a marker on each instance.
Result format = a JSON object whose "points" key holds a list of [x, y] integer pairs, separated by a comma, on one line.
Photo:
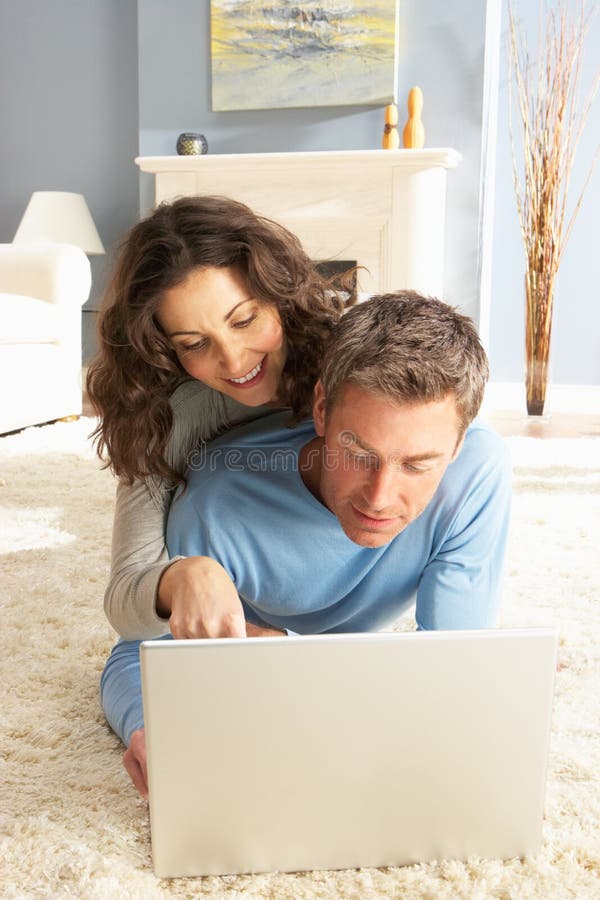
{"points": [[442, 51]]}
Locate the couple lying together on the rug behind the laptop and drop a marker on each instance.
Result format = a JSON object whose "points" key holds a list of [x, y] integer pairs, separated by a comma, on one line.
{"points": [[388, 496]]}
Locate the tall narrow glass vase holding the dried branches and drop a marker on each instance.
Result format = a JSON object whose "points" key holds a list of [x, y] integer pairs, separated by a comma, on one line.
{"points": [[538, 329]]}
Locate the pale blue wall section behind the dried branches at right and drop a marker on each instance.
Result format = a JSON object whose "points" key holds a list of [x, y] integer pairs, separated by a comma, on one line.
{"points": [[575, 348]]}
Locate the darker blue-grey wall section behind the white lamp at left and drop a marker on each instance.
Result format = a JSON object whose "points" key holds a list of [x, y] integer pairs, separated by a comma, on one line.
{"points": [[68, 114]]}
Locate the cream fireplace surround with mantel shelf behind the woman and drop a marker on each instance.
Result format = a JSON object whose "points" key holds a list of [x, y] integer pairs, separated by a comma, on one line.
{"points": [[383, 208]]}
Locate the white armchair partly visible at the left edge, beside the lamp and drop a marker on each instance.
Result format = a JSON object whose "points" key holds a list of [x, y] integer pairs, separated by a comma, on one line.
{"points": [[42, 290]]}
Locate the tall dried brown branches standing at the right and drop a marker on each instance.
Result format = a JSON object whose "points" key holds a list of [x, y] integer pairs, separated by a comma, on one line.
{"points": [[550, 123]]}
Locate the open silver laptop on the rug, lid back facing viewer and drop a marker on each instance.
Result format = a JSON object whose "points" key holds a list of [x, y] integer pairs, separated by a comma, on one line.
{"points": [[346, 751]]}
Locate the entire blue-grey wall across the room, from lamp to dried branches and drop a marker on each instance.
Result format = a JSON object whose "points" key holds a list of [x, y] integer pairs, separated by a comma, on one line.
{"points": [[72, 120]]}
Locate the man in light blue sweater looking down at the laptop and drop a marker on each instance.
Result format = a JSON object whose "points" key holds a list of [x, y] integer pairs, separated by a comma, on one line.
{"points": [[392, 496]]}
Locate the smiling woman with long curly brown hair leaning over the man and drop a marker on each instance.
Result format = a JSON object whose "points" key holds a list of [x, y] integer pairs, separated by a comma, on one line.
{"points": [[215, 315]]}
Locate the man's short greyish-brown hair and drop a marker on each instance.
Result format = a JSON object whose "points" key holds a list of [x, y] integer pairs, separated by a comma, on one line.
{"points": [[410, 349]]}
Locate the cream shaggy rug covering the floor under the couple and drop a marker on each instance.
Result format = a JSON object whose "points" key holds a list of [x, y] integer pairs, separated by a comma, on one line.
{"points": [[71, 824]]}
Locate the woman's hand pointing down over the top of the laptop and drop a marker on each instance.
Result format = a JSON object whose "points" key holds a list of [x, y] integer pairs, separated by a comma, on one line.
{"points": [[200, 600]]}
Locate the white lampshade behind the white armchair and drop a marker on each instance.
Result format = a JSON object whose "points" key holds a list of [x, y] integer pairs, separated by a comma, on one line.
{"points": [[61, 218]]}
